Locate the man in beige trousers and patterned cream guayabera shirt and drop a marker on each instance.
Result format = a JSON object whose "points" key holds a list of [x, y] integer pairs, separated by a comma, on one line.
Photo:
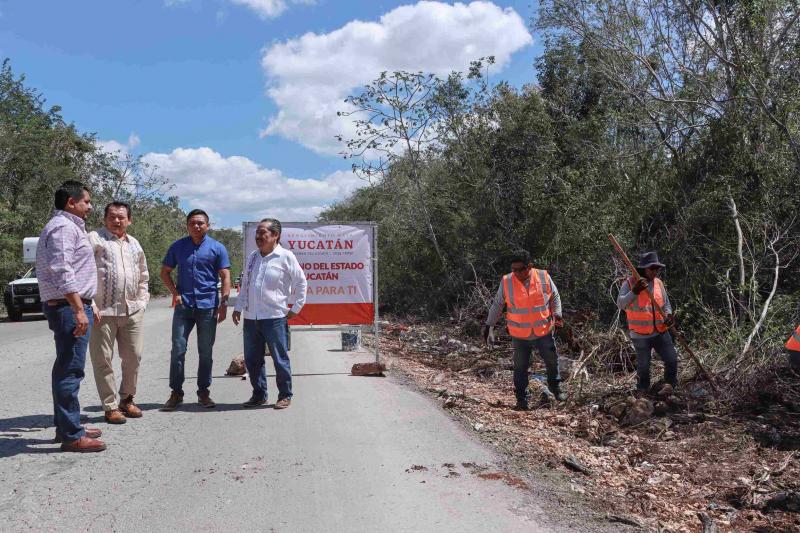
{"points": [[121, 299]]}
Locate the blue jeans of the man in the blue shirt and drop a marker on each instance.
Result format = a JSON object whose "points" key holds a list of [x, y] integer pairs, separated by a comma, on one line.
{"points": [[184, 319]]}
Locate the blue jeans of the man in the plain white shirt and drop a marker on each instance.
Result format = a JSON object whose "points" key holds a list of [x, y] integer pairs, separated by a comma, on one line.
{"points": [[258, 335]]}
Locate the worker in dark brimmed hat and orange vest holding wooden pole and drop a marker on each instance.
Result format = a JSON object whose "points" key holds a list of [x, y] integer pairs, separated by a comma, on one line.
{"points": [[647, 327]]}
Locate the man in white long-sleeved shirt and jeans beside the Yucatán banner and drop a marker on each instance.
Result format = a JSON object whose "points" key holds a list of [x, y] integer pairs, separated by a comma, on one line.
{"points": [[273, 290]]}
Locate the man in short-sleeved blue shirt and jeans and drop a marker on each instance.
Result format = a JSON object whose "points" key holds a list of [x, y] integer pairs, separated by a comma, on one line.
{"points": [[201, 263]]}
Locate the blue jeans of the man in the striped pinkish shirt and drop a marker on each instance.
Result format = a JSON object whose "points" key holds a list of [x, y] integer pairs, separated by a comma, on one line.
{"points": [[68, 368]]}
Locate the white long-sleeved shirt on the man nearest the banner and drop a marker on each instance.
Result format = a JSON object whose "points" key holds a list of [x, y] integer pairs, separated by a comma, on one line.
{"points": [[270, 284]]}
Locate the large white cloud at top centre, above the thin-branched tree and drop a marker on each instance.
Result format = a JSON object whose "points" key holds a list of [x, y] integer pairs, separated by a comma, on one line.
{"points": [[310, 76]]}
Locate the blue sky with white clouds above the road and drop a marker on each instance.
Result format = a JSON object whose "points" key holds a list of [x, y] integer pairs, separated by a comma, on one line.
{"points": [[235, 101]]}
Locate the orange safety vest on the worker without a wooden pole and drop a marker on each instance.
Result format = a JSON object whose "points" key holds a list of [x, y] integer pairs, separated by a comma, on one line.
{"points": [[528, 310]]}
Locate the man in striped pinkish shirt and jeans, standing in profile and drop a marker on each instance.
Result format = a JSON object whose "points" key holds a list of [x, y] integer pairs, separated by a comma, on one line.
{"points": [[67, 277]]}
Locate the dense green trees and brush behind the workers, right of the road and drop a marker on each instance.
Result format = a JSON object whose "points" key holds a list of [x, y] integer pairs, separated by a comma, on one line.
{"points": [[646, 123]]}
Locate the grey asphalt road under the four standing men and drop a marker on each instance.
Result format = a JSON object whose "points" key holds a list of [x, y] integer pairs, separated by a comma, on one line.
{"points": [[350, 454]]}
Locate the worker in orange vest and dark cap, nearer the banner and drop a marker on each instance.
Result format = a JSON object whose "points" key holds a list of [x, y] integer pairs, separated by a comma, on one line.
{"points": [[533, 309]]}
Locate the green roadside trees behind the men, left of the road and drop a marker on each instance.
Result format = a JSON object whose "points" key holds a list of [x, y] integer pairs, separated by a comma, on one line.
{"points": [[39, 151]]}
